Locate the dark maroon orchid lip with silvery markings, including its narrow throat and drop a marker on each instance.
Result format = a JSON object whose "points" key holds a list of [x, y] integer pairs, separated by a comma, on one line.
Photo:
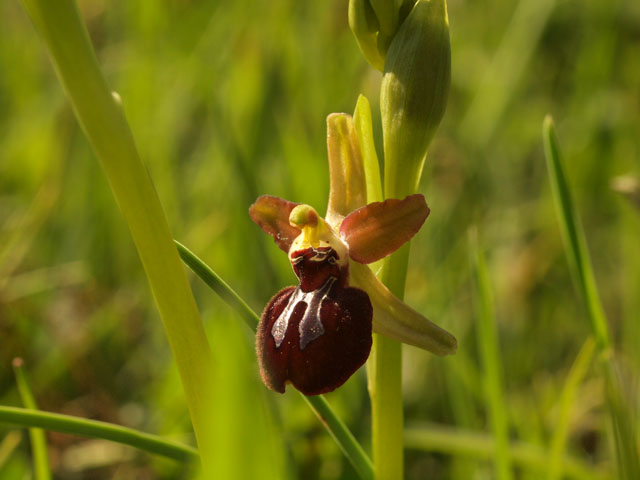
{"points": [[315, 335]]}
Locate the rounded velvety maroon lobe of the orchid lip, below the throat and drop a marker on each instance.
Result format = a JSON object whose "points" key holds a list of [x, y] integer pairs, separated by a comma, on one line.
{"points": [[326, 361]]}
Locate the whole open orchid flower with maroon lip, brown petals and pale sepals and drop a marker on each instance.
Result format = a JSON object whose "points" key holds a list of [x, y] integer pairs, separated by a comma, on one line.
{"points": [[317, 334]]}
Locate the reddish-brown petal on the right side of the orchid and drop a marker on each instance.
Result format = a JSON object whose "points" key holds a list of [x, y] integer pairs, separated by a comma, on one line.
{"points": [[379, 229]]}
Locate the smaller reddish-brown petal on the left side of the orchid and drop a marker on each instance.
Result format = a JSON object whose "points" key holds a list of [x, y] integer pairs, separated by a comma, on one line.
{"points": [[272, 215]]}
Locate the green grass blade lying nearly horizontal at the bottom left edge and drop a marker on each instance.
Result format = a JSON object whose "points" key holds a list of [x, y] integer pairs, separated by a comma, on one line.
{"points": [[95, 429]]}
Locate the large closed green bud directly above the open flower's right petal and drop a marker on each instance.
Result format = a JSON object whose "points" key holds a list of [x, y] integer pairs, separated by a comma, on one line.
{"points": [[414, 92]]}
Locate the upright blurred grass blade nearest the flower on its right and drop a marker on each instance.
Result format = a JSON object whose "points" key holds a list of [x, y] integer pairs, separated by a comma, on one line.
{"points": [[490, 358]]}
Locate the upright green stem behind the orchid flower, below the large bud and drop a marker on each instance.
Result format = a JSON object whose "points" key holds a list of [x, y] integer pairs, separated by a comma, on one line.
{"points": [[385, 383]]}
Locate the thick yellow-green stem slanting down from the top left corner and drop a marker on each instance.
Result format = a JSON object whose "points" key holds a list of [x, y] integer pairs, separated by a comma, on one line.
{"points": [[103, 121]]}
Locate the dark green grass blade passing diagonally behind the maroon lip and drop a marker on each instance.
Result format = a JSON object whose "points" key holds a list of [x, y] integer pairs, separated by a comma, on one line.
{"points": [[334, 425]]}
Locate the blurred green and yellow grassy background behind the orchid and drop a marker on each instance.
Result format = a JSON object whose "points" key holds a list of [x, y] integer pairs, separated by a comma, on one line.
{"points": [[227, 101]]}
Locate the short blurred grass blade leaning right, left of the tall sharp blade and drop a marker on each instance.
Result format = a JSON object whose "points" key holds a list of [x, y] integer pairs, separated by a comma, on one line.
{"points": [[561, 431]]}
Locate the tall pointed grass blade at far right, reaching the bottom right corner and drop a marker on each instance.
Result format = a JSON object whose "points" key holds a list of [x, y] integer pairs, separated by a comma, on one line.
{"points": [[623, 420]]}
